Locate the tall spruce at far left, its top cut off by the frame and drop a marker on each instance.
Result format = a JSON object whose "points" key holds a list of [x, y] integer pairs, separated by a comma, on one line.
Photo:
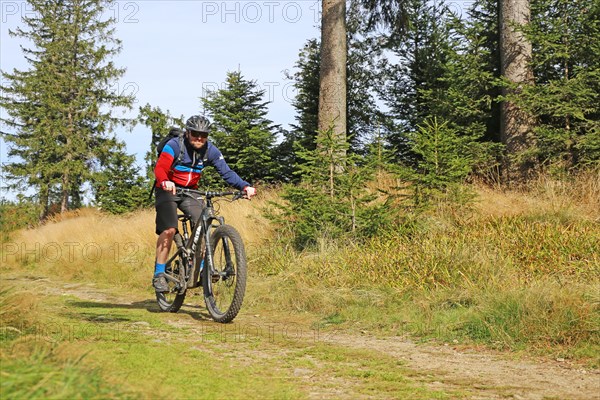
{"points": [[61, 108]]}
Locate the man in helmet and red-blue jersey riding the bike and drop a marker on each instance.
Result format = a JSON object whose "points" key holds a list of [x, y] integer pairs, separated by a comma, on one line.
{"points": [[180, 164]]}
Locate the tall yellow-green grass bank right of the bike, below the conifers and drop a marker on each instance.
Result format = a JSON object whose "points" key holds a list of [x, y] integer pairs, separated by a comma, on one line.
{"points": [[520, 272]]}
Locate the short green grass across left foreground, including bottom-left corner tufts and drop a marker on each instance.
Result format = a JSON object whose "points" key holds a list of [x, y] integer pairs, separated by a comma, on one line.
{"points": [[89, 349]]}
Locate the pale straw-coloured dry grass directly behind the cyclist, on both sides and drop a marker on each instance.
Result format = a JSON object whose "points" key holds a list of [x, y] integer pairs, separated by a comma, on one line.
{"points": [[89, 245]]}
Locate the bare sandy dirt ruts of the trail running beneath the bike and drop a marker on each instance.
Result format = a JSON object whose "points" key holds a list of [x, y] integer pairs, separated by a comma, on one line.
{"points": [[478, 373]]}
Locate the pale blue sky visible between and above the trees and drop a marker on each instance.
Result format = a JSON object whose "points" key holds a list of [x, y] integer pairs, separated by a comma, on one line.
{"points": [[175, 50]]}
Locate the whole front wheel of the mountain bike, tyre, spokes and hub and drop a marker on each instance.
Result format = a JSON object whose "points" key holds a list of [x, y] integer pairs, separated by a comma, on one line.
{"points": [[224, 281]]}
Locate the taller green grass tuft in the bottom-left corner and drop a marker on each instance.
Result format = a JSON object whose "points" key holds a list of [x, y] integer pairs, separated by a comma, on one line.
{"points": [[32, 364]]}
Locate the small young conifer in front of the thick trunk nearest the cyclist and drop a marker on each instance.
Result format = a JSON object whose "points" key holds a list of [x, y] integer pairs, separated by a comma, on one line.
{"points": [[326, 205]]}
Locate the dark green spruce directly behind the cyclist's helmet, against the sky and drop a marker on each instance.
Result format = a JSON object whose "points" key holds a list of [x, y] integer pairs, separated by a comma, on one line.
{"points": [[241, 130]]}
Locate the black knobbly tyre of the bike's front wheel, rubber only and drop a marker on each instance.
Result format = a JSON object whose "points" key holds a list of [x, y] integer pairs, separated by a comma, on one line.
{"points": [[239, 255]]}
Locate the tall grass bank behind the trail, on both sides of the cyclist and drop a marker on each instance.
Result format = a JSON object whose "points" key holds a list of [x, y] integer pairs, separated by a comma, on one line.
{"points": [[519, 270]]}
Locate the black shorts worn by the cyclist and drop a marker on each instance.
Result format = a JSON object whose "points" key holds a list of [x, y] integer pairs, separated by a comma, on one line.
{"points": [[166, 205]]}
